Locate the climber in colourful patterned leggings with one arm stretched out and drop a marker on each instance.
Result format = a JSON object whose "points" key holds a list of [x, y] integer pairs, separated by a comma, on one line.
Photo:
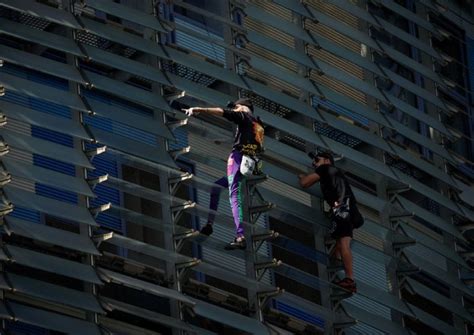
{"points": [[248, 141]]}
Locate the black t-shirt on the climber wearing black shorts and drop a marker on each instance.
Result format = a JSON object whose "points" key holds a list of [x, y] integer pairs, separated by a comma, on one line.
{"points": [[334, 184]]}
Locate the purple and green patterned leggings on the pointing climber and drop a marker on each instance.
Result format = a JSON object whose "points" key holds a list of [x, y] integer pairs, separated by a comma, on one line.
{"points": [[234, 182]]}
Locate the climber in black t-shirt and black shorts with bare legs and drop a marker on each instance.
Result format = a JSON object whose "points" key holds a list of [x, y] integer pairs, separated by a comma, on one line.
{"points": [[345, 216]]}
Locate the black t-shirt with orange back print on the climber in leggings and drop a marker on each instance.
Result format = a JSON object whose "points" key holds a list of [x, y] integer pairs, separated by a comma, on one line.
{"points": [[248, 138]]}
